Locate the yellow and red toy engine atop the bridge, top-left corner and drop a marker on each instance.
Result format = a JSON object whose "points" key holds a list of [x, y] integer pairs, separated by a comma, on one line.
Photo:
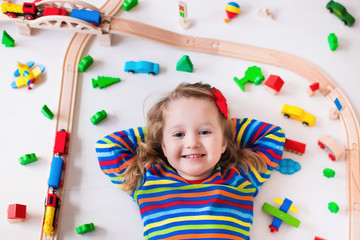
{"points": [[12, 10]]}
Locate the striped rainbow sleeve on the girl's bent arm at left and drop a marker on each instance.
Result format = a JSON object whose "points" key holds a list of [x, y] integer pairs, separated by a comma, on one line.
{"points": [[117, 150]]}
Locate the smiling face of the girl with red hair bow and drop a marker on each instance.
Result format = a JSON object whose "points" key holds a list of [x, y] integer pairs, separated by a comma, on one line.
{"points": [[193, 138]]}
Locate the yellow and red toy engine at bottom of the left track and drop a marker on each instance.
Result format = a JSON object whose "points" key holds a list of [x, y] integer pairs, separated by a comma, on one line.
{"points": [[52, 203]]}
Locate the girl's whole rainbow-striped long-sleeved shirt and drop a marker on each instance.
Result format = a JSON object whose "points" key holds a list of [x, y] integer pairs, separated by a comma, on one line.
{"points": [[171, 208]]}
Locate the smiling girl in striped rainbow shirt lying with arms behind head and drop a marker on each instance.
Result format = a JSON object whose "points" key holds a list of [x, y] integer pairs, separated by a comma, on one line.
{"points": [[193, 171]]}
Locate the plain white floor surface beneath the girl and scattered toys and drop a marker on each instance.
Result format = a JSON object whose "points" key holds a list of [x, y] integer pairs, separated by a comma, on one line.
{"points": [[300, 28]]}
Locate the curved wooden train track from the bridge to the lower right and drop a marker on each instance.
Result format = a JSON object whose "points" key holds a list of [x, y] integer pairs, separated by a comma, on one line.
{"points": [[280, 59]]}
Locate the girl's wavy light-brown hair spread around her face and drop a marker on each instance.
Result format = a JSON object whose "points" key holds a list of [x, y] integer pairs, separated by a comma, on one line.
{"points": [[150, 152]]}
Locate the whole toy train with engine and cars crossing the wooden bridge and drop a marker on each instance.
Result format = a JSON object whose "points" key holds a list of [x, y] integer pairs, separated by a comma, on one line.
{"points": [[30, 11]]}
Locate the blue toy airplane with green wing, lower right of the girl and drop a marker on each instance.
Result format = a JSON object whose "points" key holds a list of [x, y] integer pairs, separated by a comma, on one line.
{"points": [[280, 215]]}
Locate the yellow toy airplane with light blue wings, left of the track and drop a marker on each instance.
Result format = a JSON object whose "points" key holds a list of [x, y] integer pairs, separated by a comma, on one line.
{"points": [[26, 76]]}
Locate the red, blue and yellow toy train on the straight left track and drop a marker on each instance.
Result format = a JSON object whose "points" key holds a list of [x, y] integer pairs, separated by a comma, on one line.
{"points": [[52, 201]]}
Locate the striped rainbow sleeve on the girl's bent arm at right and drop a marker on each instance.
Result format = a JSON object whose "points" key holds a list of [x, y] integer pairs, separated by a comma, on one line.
{"points": [[265, 139]]}
